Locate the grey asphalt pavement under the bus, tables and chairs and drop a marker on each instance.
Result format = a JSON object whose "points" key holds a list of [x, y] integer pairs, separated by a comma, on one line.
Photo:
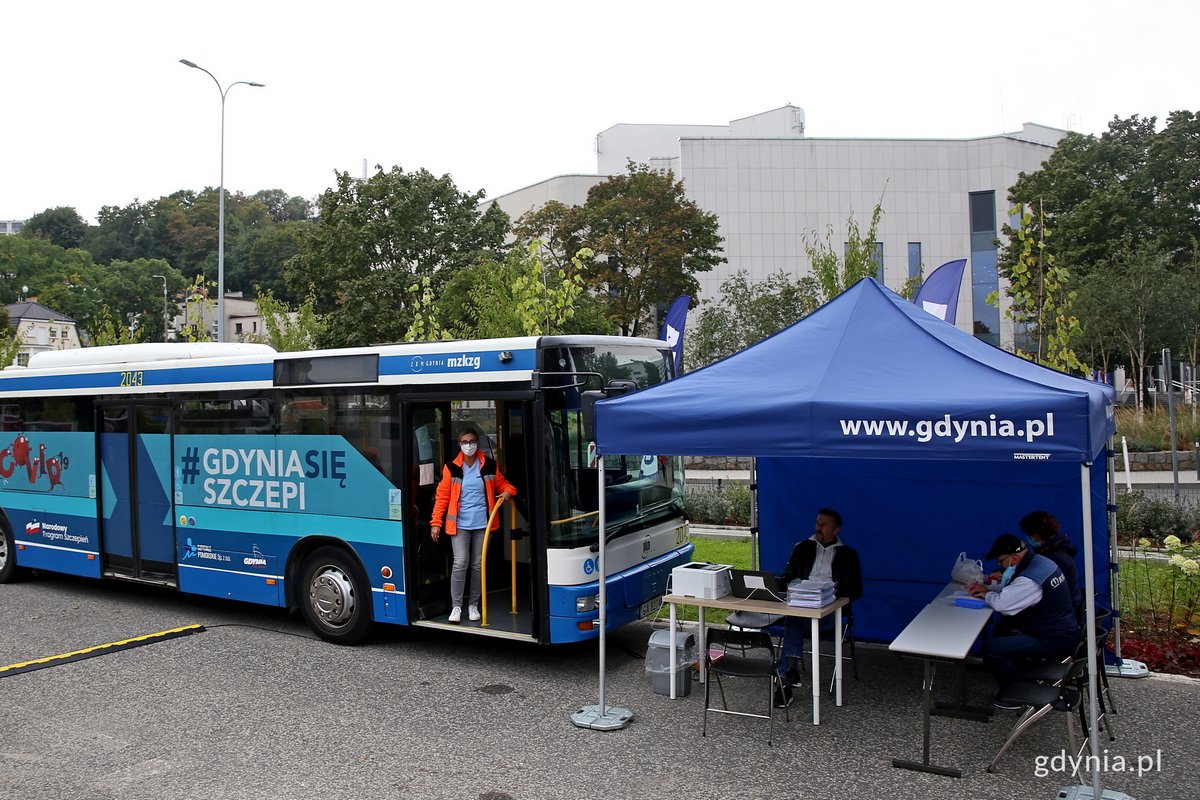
{"points": [[255, 707]]}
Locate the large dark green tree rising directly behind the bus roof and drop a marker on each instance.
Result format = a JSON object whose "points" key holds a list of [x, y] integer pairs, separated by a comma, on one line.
{"points": [[374, 240]]}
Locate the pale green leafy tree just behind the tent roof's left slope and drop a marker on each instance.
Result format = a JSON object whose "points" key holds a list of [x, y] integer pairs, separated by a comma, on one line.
{"points": [[748, 312]]}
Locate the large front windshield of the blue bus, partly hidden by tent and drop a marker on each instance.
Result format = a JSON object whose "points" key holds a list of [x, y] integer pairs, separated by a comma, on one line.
{"points": [[640, 490]]}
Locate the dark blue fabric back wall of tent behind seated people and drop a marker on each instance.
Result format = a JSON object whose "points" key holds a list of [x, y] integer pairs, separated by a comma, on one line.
{"points": [[909, 521]]}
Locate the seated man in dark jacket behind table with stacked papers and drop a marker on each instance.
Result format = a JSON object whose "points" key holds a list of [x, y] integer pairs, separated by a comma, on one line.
{"points": [[821, 557]]}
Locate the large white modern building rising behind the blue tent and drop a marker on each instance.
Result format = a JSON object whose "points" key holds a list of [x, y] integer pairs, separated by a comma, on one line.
{"points": [[771, 187]]}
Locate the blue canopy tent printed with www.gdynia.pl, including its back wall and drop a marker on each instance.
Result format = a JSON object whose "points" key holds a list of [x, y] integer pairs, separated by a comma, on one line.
{"points": [[928, 441]]}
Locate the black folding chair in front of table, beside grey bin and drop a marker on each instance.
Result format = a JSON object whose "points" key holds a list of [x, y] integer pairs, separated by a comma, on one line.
{"points": [[742, 654]]}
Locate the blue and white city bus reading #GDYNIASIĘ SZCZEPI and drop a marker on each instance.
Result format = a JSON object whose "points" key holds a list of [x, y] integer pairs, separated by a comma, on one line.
{"points": [[307, 480]]}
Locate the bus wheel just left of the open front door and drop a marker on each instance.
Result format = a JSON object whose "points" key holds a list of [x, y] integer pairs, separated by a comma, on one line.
{"points": [[337, 599]]}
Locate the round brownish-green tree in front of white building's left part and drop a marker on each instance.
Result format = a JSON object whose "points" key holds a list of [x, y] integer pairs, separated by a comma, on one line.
{"points": [[652, 242]]}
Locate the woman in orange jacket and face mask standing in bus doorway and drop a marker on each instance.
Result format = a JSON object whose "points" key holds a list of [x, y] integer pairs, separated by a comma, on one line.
{"points": [[464, 502]]}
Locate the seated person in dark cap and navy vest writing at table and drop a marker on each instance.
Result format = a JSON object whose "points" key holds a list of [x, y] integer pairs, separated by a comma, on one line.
{"points": [[1037, 616]]}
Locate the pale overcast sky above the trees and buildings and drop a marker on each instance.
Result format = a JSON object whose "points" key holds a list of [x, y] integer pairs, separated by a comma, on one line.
{"points": [[98, 111]]}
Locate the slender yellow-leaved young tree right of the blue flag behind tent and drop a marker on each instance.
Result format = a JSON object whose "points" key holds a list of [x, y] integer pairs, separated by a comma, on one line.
{"points": [[1041, 300]]}
